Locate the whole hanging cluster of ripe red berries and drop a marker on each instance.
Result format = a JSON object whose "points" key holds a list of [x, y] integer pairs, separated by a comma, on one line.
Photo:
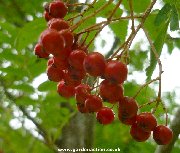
{"points": [[69, 63]]}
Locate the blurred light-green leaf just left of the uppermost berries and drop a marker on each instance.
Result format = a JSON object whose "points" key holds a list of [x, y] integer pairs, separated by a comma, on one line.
{"points": [[29, 33]]}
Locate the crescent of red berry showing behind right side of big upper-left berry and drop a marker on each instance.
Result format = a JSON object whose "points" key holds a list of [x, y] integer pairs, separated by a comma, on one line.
{"points": [[68, 37]]}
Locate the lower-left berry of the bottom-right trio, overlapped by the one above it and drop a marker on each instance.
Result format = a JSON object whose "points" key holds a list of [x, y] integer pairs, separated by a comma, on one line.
{"points": [[138, 134]]}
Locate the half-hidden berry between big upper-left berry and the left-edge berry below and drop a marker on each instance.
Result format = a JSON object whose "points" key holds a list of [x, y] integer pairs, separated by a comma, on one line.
{"points": [[59, 63]]}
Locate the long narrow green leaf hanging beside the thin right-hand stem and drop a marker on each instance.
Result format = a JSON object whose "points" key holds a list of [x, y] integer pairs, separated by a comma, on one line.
{"points": [[158, 44]]}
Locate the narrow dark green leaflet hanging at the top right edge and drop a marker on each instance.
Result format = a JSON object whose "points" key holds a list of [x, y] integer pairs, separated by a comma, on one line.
{"points": [[174, 23]]}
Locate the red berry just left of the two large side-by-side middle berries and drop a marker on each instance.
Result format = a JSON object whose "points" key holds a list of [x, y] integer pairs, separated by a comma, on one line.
{"points": [[76, 59]]}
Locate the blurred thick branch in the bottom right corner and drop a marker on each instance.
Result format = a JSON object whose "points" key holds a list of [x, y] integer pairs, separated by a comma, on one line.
{"points": [[175, 124]]}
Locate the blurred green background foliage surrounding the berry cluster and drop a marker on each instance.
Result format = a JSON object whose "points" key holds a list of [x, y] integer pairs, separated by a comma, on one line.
{"points": [[21, 23]]}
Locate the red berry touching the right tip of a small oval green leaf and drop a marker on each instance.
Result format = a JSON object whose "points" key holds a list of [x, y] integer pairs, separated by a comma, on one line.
{"points": [[65, 90]]}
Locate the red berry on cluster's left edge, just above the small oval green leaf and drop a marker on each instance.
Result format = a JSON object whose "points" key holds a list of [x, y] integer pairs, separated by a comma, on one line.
{"points": [[54, 74]]}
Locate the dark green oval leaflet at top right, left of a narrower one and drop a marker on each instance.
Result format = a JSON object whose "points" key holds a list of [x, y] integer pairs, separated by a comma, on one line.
{"points": [[163, 15]]}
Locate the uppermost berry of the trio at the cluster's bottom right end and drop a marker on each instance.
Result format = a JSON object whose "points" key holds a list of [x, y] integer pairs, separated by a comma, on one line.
{"points": [[146, 121]]}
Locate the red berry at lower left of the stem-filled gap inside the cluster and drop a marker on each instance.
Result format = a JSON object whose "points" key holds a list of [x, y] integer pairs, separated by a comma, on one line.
{"points": [[82, 92]]}
